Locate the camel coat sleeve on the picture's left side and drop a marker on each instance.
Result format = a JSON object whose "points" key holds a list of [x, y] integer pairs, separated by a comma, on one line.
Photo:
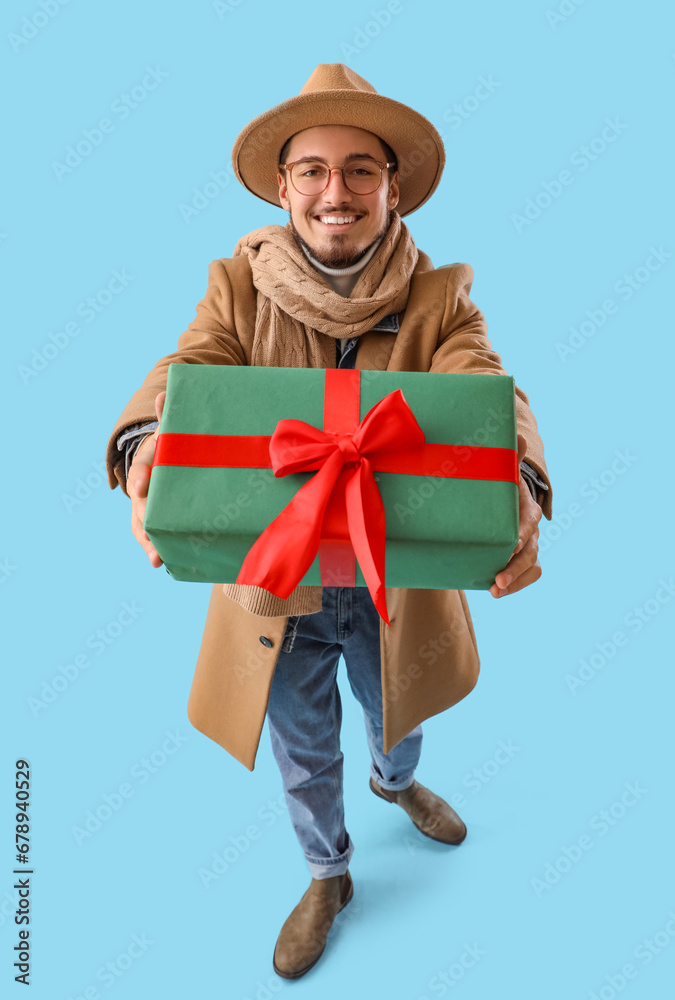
{"points": [[218, 335]]}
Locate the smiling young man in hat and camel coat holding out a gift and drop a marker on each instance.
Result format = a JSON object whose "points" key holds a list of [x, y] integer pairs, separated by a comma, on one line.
{"points": [[342, 285]]}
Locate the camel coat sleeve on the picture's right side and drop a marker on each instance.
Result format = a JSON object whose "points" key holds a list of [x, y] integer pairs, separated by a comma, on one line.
{"points": [[463, 347]]}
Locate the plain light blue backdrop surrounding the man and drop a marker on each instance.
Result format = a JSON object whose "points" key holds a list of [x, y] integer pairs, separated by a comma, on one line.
{"points": [[69, 566]]}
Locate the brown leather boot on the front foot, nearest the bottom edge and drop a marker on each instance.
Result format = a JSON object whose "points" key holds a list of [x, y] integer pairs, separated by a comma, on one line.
{"points": [[302, 940]]}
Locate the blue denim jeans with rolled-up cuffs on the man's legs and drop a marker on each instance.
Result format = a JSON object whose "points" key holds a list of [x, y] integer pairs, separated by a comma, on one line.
{"points": [[305, 713]]}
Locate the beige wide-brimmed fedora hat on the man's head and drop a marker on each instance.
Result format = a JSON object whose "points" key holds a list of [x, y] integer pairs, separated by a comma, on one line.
{"points": [[336, 95]]}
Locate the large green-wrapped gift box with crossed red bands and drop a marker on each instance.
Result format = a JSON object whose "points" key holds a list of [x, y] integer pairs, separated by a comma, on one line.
{"points": [[450, 505]]}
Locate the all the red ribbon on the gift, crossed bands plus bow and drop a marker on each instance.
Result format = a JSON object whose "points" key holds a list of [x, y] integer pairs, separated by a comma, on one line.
{"points": [[338, 512]]}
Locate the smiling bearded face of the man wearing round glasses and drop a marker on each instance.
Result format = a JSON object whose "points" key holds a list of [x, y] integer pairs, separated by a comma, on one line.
{"points": [[363, 218]]}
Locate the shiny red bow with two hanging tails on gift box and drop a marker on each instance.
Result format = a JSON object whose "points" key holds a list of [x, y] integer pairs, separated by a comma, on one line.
{"points": [[285, 550]]}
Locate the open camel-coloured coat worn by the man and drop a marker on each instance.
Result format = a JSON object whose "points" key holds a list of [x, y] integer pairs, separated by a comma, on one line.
{"points": [[429, 659]]}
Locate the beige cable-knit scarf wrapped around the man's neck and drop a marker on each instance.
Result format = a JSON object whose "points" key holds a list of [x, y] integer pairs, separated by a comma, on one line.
{"points": [[295, 305]]}
